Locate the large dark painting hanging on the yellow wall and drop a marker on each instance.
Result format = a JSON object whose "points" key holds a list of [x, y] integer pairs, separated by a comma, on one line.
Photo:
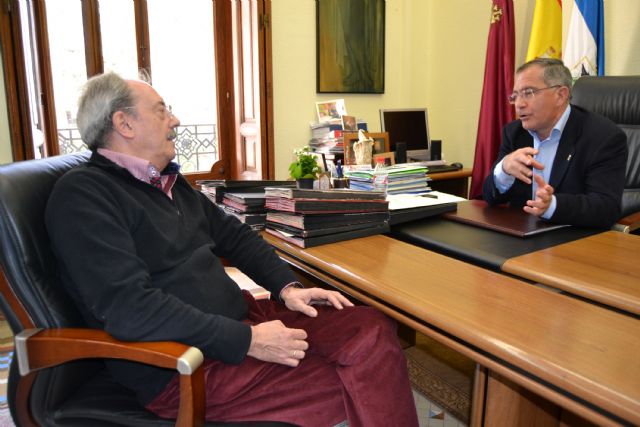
{"points": [[350, 46]]}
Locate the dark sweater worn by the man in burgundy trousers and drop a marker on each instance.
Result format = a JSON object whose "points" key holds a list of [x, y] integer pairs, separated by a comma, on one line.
{"points": [[144, 267]]}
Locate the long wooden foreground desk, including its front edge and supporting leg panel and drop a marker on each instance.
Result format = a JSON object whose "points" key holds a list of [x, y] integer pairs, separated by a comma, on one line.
{"points": [[580, 356]]}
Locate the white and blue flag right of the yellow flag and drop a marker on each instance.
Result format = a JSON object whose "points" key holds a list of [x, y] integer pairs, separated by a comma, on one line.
{"points": [[584, 50]]}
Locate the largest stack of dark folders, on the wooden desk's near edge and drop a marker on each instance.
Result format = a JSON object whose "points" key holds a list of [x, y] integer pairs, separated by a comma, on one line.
{"points": [[308, 218]]}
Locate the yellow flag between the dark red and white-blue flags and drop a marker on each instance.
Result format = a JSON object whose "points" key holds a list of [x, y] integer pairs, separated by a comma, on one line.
{"points": [[546, 30]]}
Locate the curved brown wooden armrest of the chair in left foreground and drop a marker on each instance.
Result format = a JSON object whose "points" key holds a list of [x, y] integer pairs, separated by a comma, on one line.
{"points": [[43, 348]]}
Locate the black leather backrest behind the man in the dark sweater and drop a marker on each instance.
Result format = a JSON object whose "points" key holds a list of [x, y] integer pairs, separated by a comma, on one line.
{"points": [[26, 258]]}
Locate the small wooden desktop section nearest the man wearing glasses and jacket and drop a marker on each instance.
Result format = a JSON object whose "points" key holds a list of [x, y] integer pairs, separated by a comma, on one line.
{"points": [[603, 268]]}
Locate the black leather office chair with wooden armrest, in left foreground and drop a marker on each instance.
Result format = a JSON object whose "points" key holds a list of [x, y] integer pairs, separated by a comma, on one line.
{"points": [[62, 380]]}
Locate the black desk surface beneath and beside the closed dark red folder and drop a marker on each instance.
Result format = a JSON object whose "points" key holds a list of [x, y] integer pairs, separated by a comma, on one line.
{"points": [[479, 246]]}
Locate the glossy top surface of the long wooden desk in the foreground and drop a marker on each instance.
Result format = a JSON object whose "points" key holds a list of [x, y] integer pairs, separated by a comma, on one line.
{"points": [[589, 351]]}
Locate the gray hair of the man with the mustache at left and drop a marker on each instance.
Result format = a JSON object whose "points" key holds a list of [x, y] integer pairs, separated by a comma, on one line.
{"points": [[101, 97]]}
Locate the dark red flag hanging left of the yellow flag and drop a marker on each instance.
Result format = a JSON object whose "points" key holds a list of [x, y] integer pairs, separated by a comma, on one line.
{"points": [[495, 110]]}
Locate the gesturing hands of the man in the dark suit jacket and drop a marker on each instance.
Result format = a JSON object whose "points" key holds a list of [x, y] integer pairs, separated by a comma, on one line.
{"points": [[520, 165]]}
